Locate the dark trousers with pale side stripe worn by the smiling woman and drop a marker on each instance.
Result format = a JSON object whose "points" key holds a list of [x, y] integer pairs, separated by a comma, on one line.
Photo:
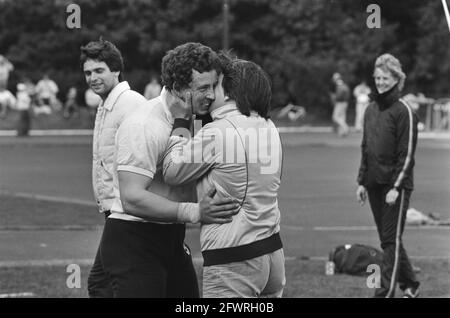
{"points": [[390, 221]]}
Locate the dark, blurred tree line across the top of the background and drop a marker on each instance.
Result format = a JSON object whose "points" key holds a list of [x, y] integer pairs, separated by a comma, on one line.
{"points": [[300, 43]]}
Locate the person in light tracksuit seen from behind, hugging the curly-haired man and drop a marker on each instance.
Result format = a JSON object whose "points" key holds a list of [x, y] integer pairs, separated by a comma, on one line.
{"points": [[240, 154]]}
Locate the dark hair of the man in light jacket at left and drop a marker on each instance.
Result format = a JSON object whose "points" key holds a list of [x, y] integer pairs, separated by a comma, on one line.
{"points": [[103, 51]]}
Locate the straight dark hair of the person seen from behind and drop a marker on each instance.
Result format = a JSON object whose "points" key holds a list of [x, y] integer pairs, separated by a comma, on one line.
{"points": [[246, 83]]}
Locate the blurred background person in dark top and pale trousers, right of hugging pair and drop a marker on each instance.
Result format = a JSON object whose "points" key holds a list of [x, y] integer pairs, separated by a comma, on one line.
{"points": [[340, 98]]}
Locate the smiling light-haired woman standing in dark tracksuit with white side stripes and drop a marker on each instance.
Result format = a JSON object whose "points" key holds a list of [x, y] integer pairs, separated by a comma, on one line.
{"points": [[386, 172]]}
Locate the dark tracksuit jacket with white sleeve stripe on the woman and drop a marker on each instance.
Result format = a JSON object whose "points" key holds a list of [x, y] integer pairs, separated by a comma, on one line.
{"points": [[389, 142]]}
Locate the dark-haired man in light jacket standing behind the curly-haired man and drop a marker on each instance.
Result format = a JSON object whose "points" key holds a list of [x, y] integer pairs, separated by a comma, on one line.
{"points": [[102, 65]]}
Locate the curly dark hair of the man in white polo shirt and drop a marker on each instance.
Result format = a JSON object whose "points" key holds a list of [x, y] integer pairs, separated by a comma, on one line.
{"points": [[177, 64]]}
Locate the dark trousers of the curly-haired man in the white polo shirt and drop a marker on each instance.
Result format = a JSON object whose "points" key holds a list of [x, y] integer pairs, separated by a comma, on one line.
{"points": [[147, 260]]}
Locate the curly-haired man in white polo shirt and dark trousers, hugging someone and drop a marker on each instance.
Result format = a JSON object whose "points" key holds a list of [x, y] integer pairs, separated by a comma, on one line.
{"points": [[143, 248]]}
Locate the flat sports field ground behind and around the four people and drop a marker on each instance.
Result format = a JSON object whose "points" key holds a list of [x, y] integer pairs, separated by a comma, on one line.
{"points": [[316, 199]]}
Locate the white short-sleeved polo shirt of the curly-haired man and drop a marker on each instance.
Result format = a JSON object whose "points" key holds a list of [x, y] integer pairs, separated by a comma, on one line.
{"points": [[140, 145]]}
